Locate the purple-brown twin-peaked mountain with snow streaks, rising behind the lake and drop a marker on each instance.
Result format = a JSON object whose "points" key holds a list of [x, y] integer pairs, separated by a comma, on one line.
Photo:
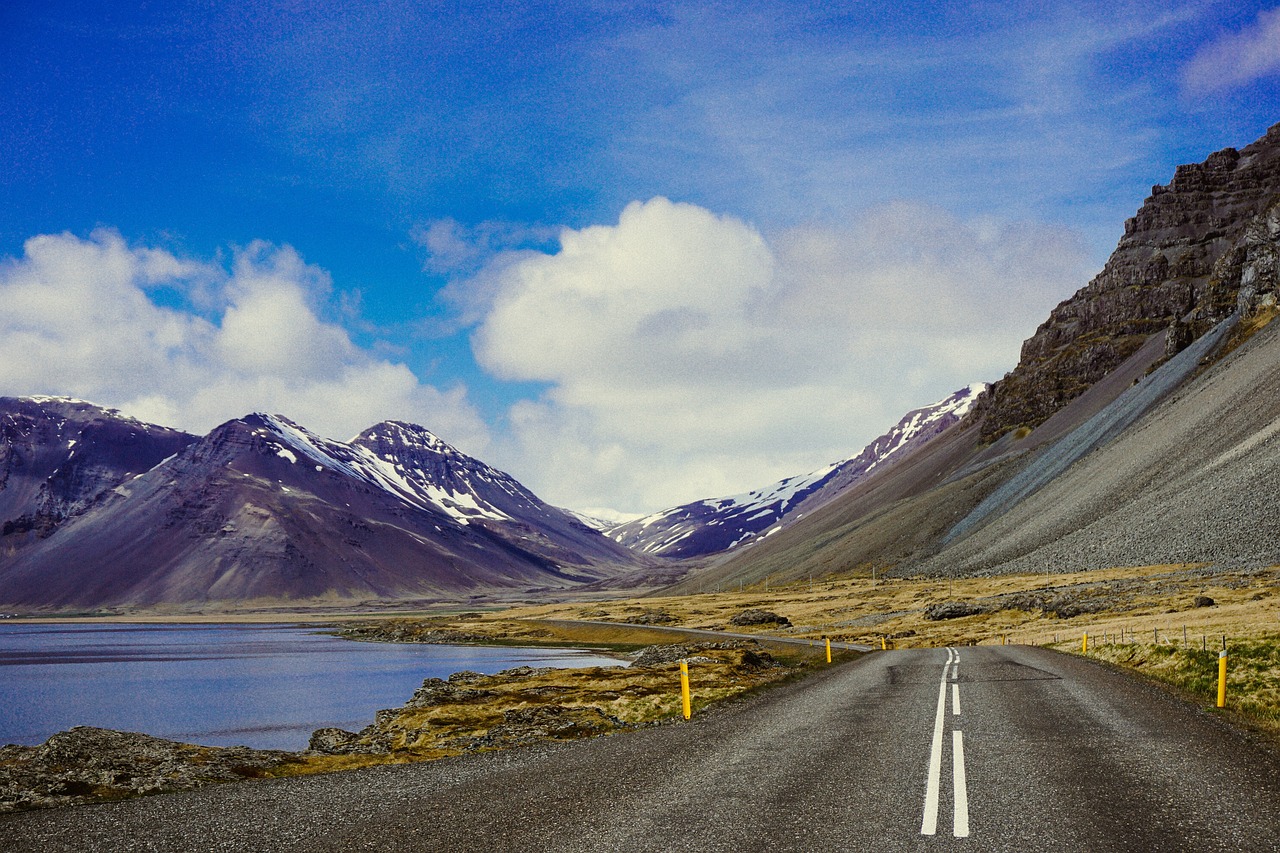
{"points": [[262, 510]]}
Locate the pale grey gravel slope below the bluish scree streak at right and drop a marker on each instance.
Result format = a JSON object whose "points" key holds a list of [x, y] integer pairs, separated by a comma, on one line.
{"points": [[1194, 481]]}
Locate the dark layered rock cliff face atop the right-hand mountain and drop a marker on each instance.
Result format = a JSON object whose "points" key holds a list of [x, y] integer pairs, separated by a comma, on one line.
{"points": [[1199, 249]]}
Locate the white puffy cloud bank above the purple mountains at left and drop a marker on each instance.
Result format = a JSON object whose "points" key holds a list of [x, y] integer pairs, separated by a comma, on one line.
{"points": [[80, 320]]}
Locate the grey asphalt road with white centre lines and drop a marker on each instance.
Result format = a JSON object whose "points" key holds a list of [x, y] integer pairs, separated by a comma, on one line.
{"points": [[1045, 752]]}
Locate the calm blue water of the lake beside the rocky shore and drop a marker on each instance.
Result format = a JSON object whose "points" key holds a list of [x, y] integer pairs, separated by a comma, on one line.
{"points": [[260, 686]]}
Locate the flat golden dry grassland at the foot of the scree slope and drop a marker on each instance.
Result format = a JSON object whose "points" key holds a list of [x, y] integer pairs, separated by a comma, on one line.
{"points": [[862, 610]]}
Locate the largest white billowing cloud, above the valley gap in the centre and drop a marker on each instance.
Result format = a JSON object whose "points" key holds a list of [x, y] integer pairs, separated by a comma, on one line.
{"points": [[689, 355]]}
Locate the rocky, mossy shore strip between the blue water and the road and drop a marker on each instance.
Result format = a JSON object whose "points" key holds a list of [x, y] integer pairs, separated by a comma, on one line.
{"points": [[465, 714]]}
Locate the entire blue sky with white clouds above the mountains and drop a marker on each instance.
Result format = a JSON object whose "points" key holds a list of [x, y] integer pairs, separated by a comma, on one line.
{"points": [[636, 254]]}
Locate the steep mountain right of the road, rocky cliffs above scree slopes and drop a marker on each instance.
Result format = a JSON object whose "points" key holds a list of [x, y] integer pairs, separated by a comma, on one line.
{"points": [[1139, 427]]}
